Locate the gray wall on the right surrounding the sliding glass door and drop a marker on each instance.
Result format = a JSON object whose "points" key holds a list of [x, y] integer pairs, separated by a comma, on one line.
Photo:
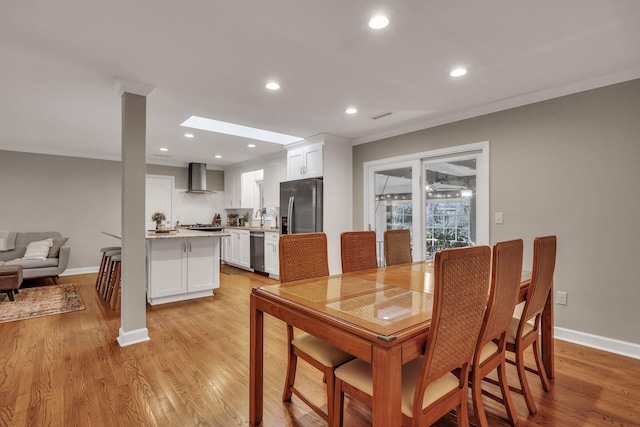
{"points": [[568, 166]]}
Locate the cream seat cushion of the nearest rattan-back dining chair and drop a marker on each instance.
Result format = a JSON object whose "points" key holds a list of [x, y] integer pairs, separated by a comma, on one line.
{"points": [[358, 374]]}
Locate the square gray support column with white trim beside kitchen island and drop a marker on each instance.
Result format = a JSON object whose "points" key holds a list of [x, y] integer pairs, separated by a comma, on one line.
{"points": [[133, 328]]}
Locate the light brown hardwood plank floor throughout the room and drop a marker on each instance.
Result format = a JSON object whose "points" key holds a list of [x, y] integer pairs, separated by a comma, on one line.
{"points": [[68, 370]]}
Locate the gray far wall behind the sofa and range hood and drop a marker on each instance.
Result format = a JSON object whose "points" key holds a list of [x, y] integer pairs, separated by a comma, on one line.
{"points": [[78, 197]]}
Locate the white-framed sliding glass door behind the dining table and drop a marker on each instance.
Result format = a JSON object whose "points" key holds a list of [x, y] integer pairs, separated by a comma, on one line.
{"points": [[442, 196]]}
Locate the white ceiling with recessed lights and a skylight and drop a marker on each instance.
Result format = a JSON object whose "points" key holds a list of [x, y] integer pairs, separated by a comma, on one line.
{"points": [[212, 58]]}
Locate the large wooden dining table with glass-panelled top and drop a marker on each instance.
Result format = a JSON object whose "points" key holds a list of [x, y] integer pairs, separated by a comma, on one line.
{"points": [[380, 315]]}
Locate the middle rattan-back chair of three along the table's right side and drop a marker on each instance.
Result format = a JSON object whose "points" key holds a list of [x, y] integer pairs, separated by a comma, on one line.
{"points": [[506, 274]]}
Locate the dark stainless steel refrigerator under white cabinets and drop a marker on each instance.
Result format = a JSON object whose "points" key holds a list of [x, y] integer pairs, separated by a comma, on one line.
{"points": [[301, 206]]}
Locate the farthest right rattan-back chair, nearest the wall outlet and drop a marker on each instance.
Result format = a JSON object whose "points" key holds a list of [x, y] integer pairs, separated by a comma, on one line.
{"points": [[525, 331]]}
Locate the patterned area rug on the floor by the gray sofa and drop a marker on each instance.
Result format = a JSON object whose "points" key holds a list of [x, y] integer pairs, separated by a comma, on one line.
{"points": [[40, 301]]}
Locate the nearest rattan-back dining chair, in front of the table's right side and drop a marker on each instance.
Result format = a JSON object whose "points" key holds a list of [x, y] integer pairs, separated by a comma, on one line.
{"points": [[430, 389]]}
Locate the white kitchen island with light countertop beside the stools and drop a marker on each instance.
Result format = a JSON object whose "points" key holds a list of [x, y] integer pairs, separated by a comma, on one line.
{"points": [[182, 264]]}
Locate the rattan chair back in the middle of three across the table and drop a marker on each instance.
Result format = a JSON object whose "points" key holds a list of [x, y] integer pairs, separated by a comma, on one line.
{"points": [[358, 250]]}
